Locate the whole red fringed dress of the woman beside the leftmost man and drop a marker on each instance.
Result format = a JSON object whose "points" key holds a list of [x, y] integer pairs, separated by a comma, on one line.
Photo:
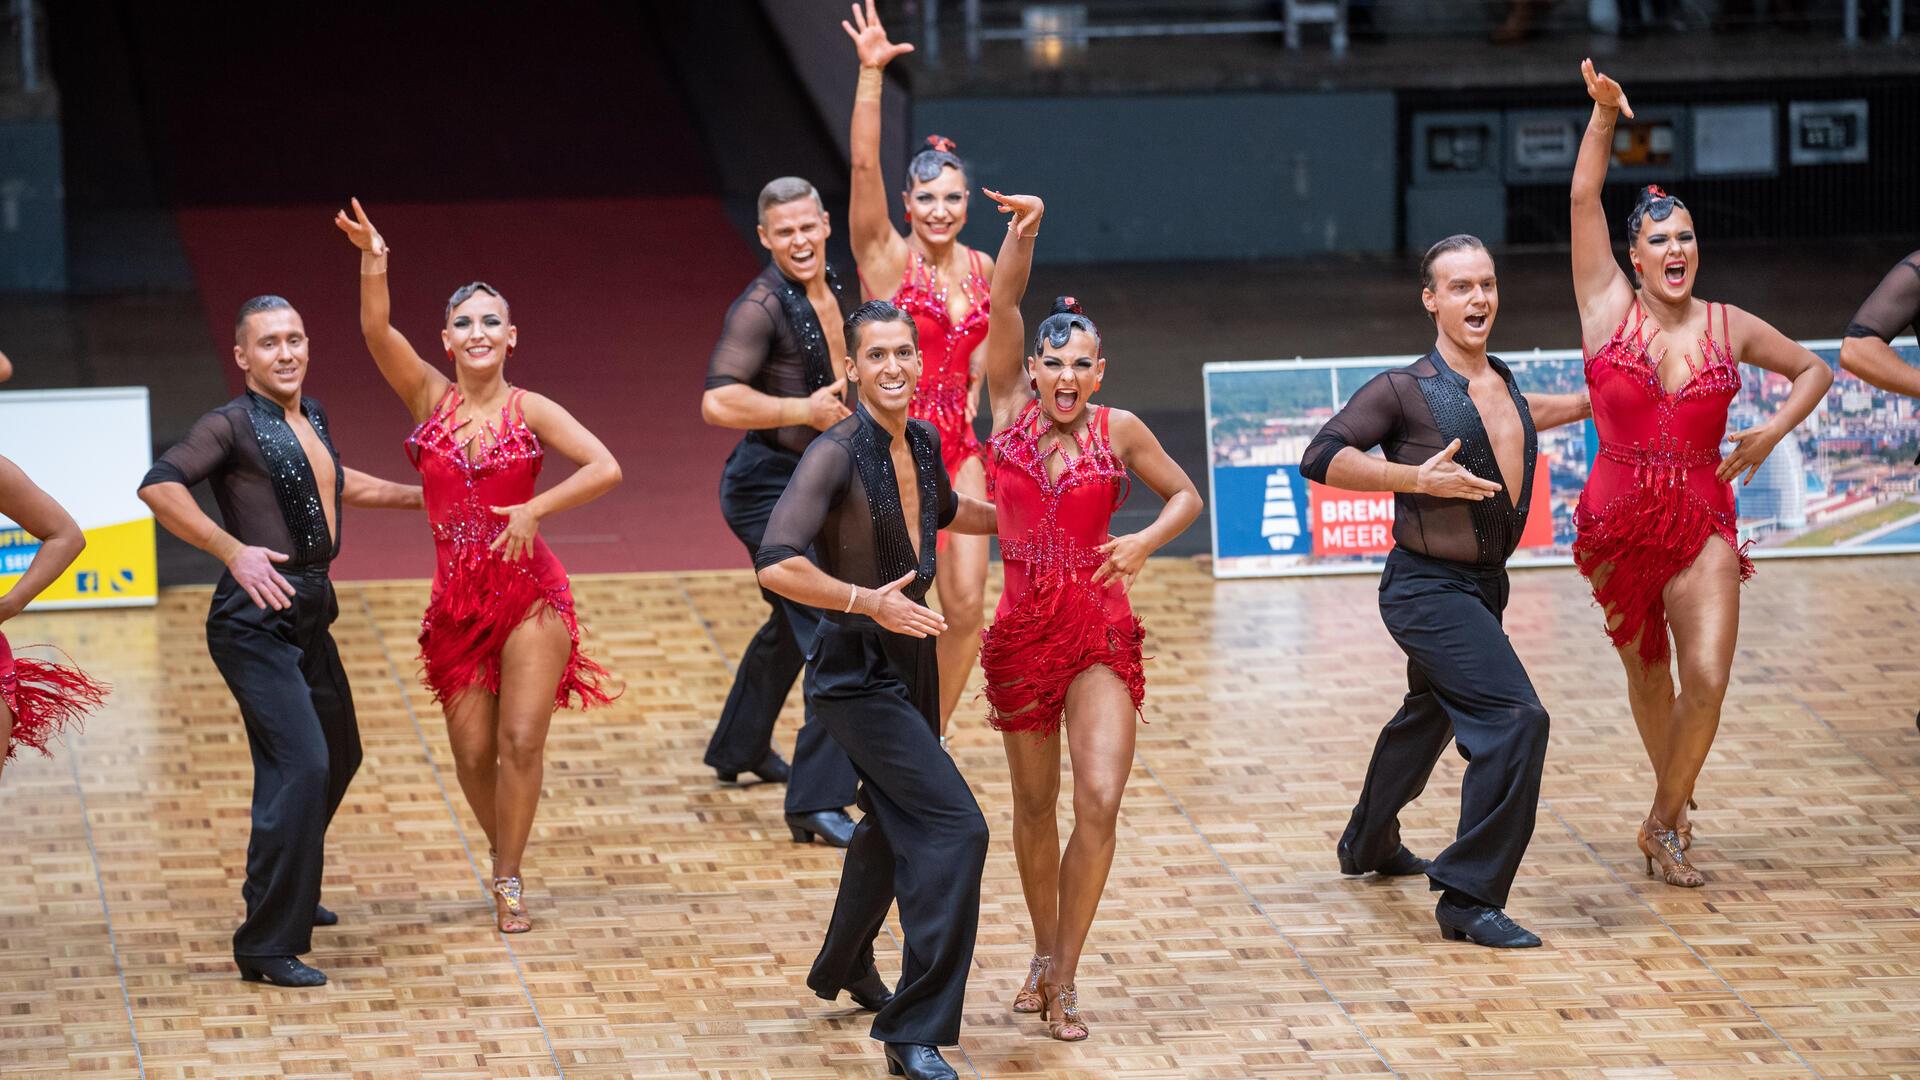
{"points": [[479, 597]]}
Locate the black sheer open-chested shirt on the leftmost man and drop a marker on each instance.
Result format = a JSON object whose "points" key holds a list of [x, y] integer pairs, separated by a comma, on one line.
{"points": [[260, 476]]}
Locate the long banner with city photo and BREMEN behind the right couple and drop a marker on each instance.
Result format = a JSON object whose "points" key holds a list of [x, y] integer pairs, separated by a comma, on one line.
{"points": [[1842, 485]]}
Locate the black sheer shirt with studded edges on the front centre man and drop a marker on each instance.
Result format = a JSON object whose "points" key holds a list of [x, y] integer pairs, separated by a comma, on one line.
{"points": [[846, 504]]}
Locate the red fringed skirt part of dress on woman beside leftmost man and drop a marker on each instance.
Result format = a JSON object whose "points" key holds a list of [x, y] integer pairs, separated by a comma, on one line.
{"points": [[479, 602]]}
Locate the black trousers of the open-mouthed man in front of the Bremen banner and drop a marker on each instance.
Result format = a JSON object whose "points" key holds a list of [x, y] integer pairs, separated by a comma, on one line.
{"points": [[1464, 683]]}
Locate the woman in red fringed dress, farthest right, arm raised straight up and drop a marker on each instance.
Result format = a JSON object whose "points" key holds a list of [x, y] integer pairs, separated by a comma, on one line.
{"points": [[1660, 493]]}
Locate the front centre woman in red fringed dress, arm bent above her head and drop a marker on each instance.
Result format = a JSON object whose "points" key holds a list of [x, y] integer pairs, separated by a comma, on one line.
{"points": [[1065, 649]]}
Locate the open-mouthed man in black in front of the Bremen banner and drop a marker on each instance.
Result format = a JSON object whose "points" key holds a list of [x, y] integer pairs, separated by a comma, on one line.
{"points": [[1445, 589]]}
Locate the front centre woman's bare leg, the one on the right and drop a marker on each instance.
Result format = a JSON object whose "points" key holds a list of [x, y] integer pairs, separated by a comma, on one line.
{"points": [[1099, 727]]}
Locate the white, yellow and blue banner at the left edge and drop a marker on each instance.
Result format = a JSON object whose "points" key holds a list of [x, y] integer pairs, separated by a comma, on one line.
{"points": [[89, 451]]}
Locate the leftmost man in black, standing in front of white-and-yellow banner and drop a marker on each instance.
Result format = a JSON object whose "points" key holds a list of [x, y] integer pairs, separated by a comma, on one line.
{"points": [[279, 485]]}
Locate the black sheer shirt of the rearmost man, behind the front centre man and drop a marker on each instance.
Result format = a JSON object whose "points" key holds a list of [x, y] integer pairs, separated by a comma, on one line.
{"points": [[771, 341]]}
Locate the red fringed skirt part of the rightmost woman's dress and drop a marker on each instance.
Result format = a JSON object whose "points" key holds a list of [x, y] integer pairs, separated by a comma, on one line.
{"points": [[1646, 537]]}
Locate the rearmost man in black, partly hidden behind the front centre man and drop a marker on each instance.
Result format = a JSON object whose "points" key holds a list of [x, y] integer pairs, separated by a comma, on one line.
{"points": [[777, 376]]}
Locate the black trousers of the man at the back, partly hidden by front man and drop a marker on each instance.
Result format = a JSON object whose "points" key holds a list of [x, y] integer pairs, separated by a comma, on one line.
{"points": [[823, 777]]}
